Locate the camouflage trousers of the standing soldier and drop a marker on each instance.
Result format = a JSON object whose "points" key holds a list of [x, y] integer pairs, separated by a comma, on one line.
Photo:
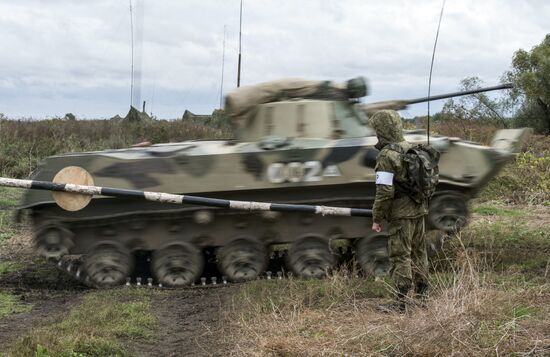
{"points": [[407, 252]]}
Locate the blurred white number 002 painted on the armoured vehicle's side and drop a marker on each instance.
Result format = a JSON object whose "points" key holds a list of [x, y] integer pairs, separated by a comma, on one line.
{"points": [[309, 171]]}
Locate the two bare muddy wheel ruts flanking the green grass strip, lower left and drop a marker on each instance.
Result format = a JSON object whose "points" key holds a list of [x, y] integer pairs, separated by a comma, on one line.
{"points": [[188, 318]]}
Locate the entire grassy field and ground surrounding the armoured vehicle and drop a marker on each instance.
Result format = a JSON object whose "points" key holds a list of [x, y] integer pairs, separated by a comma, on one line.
{"points": [[490, 285]]}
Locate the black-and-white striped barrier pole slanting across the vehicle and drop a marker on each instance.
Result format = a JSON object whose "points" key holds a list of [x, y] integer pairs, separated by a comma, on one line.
{"points": [[182, 199]]}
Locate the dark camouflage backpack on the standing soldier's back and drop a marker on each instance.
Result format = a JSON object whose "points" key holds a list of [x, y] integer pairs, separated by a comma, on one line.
{"points": [[421, 163]]}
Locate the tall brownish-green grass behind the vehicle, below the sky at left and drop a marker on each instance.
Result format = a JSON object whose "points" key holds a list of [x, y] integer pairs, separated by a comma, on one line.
{"points": [[24, 143]]}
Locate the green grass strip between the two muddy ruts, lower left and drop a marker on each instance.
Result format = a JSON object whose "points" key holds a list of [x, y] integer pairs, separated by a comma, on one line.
{"points": [[95, 327]]}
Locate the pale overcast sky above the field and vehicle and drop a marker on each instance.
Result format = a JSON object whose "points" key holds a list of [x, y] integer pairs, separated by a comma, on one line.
{"points": [[61, 56]]}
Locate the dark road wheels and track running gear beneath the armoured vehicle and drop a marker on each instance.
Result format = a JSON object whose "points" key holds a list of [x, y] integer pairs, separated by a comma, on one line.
{"points": [[208, 237]]}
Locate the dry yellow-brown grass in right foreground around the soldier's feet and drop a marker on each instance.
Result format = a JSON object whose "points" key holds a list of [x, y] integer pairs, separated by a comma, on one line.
{"points": [[469, 313]]}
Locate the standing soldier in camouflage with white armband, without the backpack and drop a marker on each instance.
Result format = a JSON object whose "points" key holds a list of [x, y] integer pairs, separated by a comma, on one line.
{"points": [[405, 216]]}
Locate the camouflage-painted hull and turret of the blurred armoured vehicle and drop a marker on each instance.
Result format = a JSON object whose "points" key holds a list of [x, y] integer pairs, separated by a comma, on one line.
{"points": [[316, 151]]}
